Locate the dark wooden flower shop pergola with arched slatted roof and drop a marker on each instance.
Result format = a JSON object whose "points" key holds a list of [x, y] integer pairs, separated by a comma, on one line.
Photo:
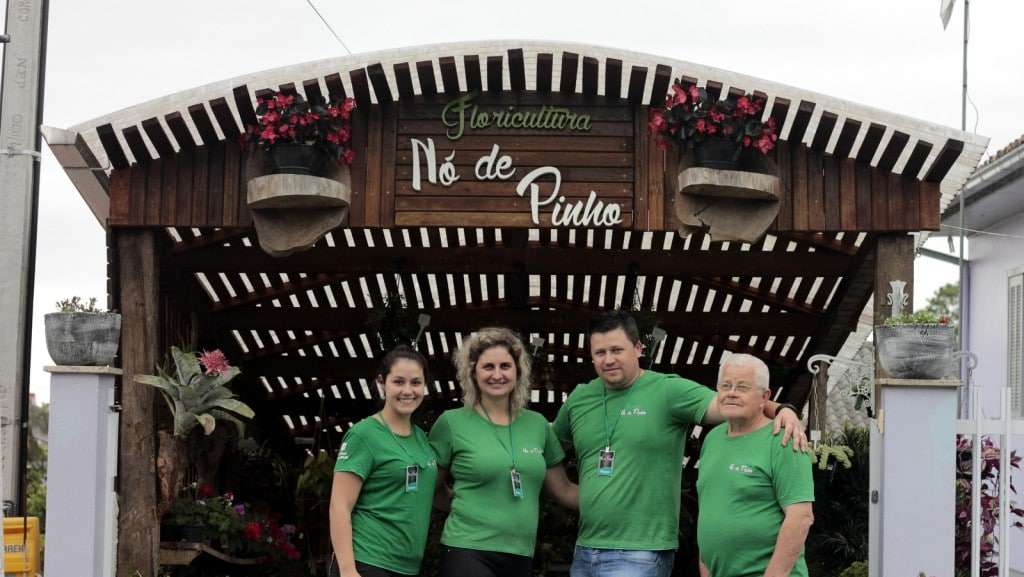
{"points": [[185, 259]]}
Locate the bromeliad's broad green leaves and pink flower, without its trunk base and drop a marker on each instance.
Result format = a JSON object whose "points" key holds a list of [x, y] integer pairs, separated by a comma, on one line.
{"points": [[195, 388]]}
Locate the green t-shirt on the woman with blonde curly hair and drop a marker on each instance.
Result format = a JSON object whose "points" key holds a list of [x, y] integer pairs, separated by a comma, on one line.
{"points": [[486, 516]]}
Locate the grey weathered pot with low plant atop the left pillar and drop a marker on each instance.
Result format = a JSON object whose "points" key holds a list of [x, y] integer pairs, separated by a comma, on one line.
{"points": [[80, 335]]}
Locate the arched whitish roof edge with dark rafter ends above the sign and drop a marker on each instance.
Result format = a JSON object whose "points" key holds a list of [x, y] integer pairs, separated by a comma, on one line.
{"points": [[892, 142]]}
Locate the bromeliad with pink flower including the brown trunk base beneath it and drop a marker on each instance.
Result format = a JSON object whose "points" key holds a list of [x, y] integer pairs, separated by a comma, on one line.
{"points": [[195, 387]]}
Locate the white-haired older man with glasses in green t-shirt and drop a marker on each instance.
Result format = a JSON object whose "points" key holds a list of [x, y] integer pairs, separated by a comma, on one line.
{"points": [[755, 497]]}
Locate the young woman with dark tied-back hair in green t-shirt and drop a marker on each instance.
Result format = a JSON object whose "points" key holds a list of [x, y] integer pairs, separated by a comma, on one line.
{"points": [[385, 480]]}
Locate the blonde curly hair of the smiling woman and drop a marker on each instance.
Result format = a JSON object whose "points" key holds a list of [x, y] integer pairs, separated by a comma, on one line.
{"points": [[474, 348]]}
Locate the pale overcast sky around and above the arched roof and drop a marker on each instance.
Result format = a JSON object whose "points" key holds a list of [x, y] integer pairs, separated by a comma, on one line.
{"points": [[108, 55]]}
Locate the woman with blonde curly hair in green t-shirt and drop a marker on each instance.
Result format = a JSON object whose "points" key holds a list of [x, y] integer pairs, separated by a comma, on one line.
{"points": [[499, 456]]}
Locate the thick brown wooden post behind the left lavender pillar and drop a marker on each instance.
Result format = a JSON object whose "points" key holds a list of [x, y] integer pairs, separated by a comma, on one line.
{"points": [[139, 526]]}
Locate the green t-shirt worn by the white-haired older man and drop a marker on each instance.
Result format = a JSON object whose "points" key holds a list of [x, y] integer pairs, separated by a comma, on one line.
{"points": [[743, 486]]}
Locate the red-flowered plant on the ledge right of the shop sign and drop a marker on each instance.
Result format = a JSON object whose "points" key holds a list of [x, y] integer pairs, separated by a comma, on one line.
{"points": [[691, 116]]}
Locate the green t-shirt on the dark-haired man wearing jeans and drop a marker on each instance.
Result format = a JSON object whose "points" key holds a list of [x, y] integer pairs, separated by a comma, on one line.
{"points": [[637, 508]]}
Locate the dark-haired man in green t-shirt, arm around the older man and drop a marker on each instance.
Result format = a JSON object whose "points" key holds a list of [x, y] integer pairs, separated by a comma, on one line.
{"points": [[628, 428]]}
